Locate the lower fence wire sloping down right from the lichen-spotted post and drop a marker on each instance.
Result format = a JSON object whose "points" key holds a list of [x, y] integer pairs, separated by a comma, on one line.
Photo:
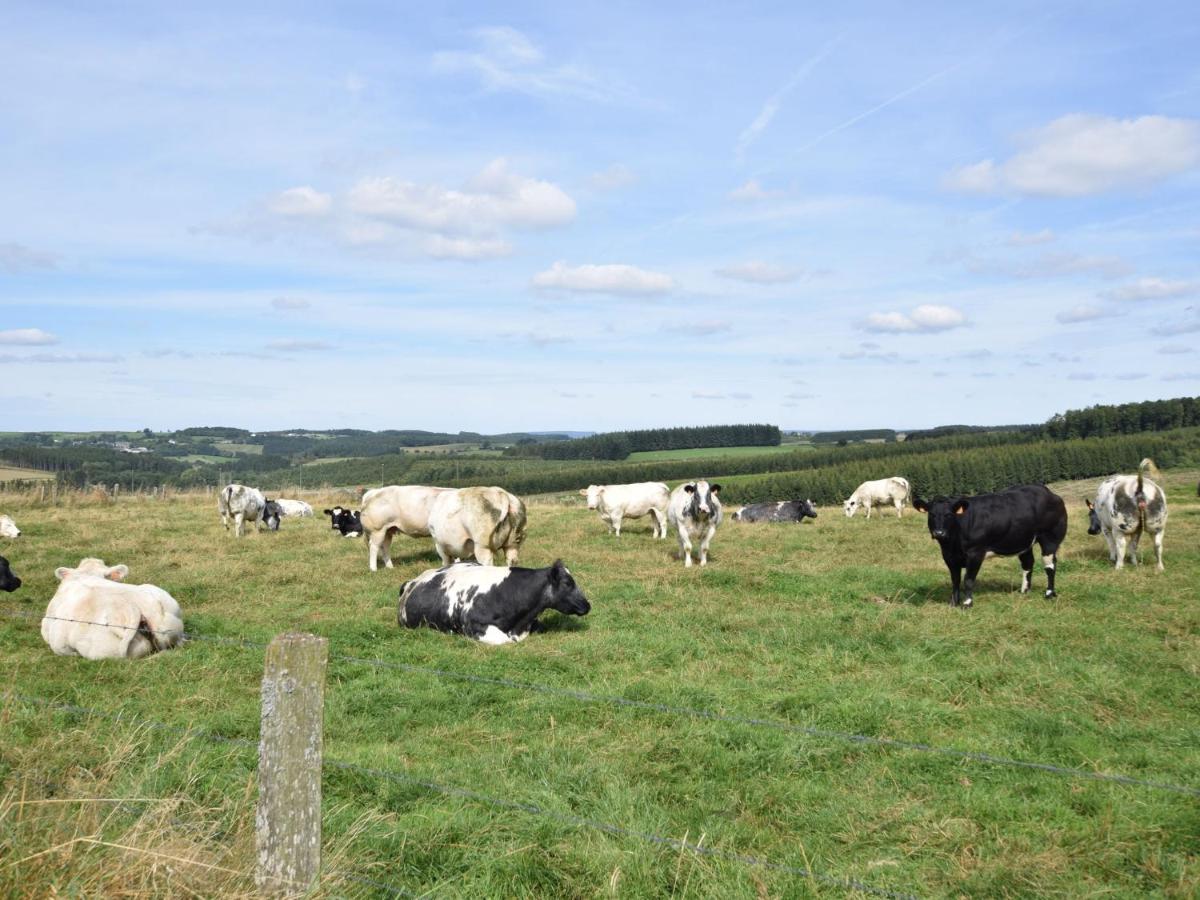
{"points": [[608, 829]]}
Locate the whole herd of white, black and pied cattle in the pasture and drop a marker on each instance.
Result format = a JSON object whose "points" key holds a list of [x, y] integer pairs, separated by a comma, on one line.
{"points": [[95, 615]]}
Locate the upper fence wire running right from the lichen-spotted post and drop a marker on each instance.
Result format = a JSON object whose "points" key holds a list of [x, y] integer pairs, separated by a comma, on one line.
{"points": [[866, 740]]}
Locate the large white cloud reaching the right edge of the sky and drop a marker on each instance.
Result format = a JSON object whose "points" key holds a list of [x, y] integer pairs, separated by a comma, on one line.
{"points": [[1079, 155]]}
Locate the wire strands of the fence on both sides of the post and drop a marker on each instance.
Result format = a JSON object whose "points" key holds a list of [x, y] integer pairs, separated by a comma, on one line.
{"points": [[584, 697]]}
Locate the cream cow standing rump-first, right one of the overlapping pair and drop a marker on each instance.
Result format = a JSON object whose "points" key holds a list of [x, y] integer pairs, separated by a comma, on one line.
{"points": [[478, 523]]}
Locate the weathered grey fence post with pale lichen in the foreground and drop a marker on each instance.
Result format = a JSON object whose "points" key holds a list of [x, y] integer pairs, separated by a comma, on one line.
{"points": [[290, 754]]}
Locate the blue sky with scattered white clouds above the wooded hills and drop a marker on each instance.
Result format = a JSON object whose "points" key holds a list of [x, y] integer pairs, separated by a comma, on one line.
{"points": [[500, 218]]}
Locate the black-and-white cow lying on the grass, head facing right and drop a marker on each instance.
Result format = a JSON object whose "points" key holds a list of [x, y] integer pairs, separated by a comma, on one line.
{"points": [[493, 604]]}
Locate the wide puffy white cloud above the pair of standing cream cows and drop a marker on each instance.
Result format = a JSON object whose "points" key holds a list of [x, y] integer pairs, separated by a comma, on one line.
{"points": [[493, 200]]}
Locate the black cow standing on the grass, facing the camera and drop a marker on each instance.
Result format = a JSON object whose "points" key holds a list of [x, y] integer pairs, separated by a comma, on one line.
{"points": [[1006, 524]]}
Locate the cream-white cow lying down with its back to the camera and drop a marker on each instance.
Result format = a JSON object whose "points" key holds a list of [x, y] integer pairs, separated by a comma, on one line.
{"points": [[93, 615]]}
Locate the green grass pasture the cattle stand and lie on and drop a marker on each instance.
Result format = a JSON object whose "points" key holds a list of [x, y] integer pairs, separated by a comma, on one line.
{"points": [[839, 626]]}
